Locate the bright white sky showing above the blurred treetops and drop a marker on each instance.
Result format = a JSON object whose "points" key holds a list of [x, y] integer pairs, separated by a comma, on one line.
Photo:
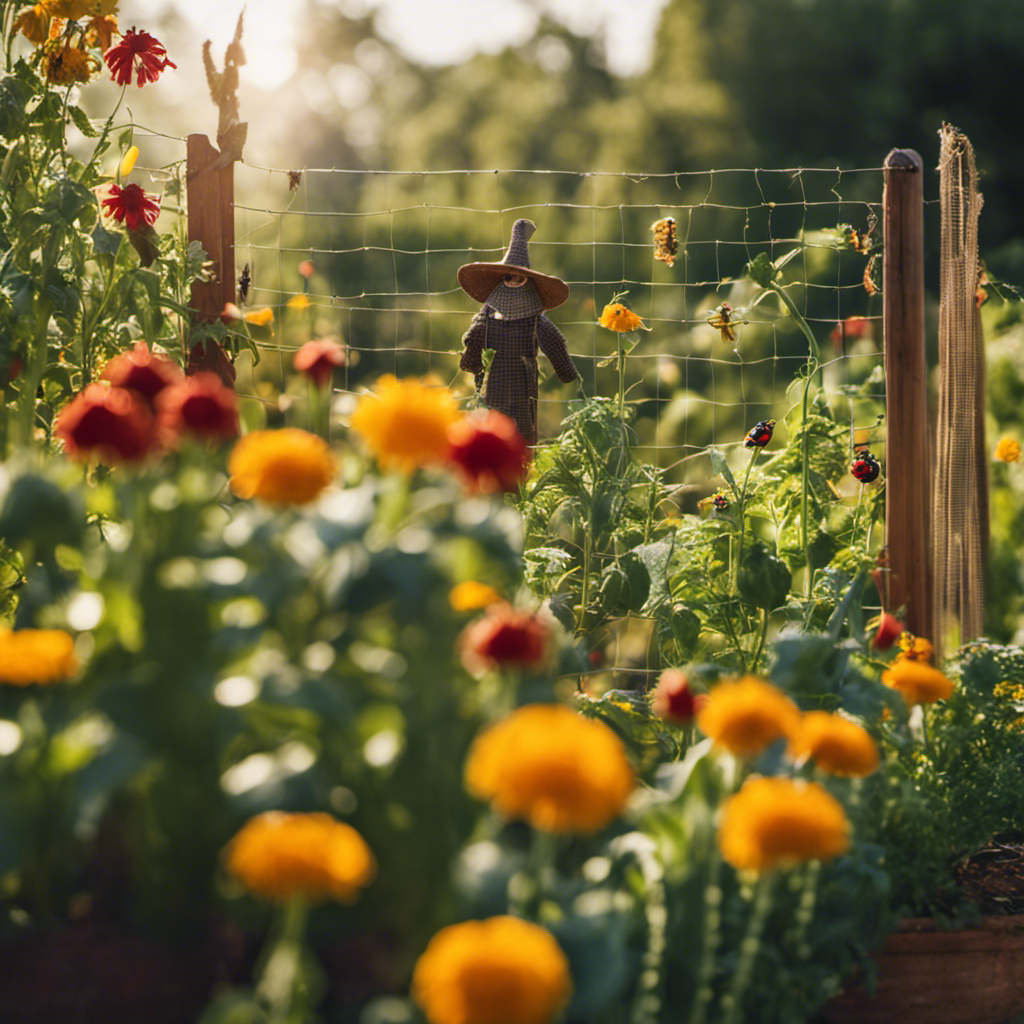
{"points": [[432, 31]]}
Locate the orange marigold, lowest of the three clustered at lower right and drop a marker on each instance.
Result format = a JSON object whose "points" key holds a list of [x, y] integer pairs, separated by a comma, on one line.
{"points": [[777, 823]]}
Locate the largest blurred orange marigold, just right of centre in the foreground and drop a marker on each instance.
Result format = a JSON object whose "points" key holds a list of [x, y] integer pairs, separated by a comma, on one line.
{"points": [[549, 766]]}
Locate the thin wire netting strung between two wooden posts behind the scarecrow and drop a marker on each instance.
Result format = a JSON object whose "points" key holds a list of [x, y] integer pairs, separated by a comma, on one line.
{"points": [[386, 247]]}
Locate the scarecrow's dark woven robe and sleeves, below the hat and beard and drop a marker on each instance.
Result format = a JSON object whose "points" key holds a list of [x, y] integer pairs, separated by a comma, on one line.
{"points": [[511, 383]]}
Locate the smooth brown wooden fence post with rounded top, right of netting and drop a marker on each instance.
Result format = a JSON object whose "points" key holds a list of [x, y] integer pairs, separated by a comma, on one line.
{"points": [[909, 529]]}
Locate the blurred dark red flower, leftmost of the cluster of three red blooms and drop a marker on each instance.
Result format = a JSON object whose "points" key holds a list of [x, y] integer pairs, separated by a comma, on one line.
{"points": [[110, 422]]}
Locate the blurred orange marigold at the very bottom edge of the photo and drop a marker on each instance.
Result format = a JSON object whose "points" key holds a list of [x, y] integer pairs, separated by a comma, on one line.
{"points": [[499, 971]]}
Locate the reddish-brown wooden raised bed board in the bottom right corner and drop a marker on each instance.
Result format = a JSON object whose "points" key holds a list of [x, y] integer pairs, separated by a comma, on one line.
{"points": [[927, 976]]}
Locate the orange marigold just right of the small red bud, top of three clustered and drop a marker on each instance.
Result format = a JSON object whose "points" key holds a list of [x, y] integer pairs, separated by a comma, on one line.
{"points": [[747, 715]]}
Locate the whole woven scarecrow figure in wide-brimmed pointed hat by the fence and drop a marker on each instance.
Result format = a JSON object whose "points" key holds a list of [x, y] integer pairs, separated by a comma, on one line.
{"points": [[513, 323]]}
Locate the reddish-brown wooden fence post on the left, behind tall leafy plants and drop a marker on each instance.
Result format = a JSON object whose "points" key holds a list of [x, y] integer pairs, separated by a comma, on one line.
{"points": [[211, 222]]}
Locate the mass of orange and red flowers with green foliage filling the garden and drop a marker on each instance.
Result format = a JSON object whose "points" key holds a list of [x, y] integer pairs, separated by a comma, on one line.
{"points": [[358, 709]]}
